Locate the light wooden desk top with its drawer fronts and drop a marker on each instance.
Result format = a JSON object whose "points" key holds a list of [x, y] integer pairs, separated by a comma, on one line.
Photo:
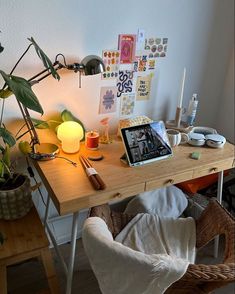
{"points": [[71, 190]]}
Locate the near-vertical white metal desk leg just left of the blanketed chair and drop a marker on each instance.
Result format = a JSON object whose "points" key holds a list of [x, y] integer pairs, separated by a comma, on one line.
{"points": [[72, 253]]}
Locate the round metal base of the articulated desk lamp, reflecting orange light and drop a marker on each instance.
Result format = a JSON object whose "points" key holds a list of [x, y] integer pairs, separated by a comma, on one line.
{"points": [[44, 151]]}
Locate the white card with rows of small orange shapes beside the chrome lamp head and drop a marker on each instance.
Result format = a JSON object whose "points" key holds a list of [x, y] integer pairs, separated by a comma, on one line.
{"points": [[111, 60]]}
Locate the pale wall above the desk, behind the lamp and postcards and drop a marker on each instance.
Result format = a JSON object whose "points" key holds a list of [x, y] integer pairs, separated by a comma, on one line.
{"points": [[200, 38]]}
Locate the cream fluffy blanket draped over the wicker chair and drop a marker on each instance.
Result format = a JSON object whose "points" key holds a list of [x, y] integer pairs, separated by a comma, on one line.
{"points": [[155, 253]]}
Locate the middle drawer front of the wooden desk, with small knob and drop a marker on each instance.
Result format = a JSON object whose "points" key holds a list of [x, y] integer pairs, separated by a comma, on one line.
{"points": [[168, 181]]}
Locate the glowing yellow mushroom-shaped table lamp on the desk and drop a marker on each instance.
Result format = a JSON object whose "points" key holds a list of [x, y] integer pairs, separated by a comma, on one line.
{"points": [[70, 133]]}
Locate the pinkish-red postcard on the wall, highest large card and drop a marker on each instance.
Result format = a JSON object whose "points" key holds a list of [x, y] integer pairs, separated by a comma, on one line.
{"points": [[127, 46]]}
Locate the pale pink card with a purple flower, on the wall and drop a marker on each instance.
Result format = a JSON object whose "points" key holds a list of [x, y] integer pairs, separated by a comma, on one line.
{"points": [[108, 99]]}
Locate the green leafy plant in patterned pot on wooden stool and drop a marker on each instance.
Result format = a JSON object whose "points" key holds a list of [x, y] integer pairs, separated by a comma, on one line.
{"points": [[15, 191]]}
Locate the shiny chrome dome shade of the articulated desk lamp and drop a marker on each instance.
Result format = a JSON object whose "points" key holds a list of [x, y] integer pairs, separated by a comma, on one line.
{"points": [[93, 65]]}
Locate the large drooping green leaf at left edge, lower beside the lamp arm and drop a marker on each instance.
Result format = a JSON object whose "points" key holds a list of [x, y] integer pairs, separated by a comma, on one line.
{"points": [[23, 92]]}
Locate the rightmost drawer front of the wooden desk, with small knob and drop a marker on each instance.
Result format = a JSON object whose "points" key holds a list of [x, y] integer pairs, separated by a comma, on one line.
{"points": [[213, 168]]}
